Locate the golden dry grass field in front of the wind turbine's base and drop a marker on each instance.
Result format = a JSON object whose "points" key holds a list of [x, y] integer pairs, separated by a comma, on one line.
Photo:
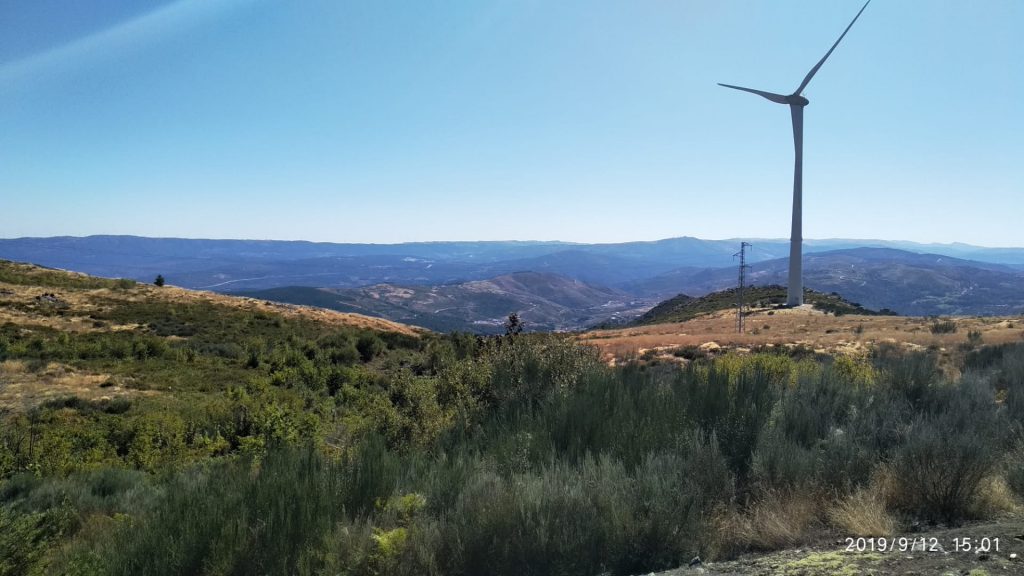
{"points": [[804, 326]]}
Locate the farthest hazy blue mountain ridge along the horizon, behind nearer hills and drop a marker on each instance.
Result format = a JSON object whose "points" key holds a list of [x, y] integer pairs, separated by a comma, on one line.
{"points": [[259, 264]]}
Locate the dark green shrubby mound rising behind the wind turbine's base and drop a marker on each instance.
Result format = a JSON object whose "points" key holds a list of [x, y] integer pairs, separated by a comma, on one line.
{"points": [[684, 308]]}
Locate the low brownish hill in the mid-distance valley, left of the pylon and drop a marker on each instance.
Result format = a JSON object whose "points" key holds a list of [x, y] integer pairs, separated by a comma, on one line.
{"points": [[544, 303]]}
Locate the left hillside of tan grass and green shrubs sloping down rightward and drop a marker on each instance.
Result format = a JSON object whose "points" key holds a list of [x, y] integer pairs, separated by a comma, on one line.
{"points": [[99, 339]]}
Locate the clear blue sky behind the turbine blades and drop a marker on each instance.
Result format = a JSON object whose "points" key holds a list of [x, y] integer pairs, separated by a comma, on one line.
{"points": [[577, 120]]}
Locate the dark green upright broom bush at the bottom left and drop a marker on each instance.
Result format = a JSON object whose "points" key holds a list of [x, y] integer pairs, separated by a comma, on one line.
{"points": [[234, 519]]}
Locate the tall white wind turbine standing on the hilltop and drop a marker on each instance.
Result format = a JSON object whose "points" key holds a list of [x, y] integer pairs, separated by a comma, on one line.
{"points": [[797, 104]]}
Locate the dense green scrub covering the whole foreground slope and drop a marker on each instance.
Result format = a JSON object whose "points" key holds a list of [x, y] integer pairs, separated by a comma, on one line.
{"points": [[265, 445]]}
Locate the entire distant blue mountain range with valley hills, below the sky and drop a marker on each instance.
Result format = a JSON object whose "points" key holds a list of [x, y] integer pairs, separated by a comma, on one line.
{"points": [[471, 285]]}
